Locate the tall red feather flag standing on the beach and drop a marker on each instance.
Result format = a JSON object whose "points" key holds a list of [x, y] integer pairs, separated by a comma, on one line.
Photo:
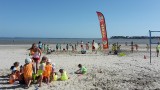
{"points": [[103, 30]]}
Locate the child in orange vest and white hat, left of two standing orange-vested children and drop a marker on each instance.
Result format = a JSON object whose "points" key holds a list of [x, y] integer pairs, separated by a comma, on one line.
{"points": [[27, 71]]}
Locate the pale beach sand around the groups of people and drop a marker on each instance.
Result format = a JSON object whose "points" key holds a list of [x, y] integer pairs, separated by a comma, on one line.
{"points": [[105, 71]]}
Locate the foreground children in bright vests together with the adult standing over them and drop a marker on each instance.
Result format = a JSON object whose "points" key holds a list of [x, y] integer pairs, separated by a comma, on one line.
{"points": [[38, 69]]}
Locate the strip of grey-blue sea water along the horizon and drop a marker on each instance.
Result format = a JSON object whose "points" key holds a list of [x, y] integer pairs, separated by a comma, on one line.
{"points": [[71, 40]]}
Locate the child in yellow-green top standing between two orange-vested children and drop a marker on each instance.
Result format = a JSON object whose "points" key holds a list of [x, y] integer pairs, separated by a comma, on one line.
{"points": [[41, 70]]}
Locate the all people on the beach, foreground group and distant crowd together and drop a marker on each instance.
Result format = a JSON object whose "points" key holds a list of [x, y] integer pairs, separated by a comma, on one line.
{"points": [[38, 68]]}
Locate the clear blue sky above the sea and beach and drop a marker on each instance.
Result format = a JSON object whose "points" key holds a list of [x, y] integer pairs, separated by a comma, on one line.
{"points": [[77, 18]]}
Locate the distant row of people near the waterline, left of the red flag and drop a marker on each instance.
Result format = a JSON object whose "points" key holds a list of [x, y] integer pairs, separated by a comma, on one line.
{"points": [[70, 46]]}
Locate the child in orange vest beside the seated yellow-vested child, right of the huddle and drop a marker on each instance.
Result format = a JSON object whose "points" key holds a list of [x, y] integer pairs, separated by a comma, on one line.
{"points": [[47, 71]]}
